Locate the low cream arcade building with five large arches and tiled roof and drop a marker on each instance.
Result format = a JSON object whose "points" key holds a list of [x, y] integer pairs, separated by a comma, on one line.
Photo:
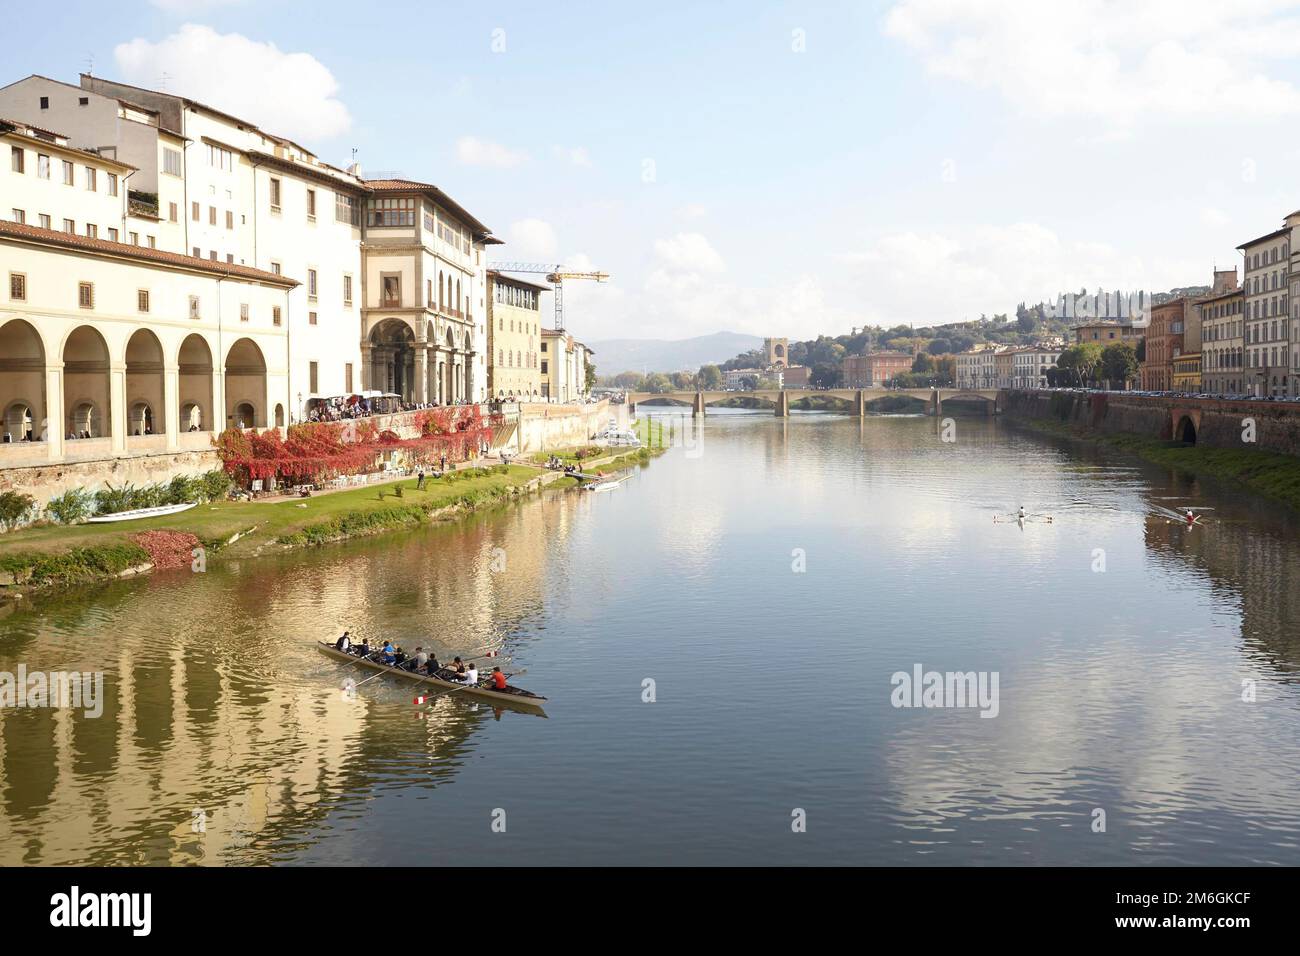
{"points": [[111, 351]]}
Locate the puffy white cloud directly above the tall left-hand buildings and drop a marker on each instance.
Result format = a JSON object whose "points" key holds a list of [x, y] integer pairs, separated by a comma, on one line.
{"points": [[285, 94]]}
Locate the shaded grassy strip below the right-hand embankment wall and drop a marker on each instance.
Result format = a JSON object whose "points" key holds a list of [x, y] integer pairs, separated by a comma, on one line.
{"points": [[1264, 473]]}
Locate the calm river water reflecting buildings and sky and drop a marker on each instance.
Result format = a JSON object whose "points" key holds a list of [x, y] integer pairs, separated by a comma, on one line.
{"points": [[1119, 690]]}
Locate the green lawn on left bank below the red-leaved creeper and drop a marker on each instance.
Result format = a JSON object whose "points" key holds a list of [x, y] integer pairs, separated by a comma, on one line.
{"points": [[300, 521]]}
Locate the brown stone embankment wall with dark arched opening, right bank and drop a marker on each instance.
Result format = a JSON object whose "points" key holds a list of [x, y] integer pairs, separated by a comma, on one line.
{"points": [[1216, 423]]}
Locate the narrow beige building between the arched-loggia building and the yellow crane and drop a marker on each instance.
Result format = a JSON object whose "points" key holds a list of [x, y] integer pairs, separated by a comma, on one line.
{"points": [[514, 339]]}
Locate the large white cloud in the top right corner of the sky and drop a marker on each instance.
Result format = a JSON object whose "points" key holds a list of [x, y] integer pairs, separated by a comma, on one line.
{"points": [[1111, 62]]}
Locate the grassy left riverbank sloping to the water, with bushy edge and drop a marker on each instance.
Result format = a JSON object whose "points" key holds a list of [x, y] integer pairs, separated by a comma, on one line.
{"points": [[60, 555]]}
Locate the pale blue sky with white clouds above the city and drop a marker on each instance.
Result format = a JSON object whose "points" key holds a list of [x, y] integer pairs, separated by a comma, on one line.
{"points": [[814, 166]]}
